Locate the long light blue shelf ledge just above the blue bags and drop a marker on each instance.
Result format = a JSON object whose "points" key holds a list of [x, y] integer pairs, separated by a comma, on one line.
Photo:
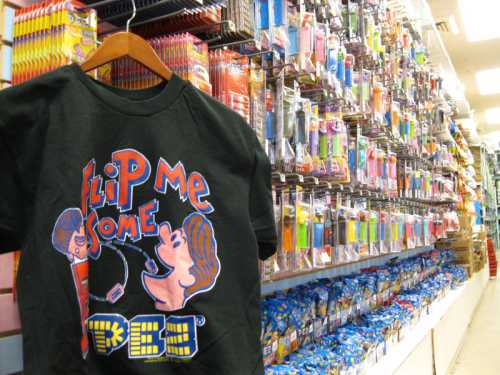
{"points": [[287, 281]]}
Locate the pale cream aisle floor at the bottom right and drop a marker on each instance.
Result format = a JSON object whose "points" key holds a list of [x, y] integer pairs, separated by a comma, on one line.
{"points": [[479, 354]]}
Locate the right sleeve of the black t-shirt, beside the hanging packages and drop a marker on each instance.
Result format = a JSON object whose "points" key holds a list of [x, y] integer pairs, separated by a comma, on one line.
{"points": [[261, 204]]}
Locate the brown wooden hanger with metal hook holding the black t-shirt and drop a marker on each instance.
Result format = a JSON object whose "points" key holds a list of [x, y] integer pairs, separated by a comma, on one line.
{"points": [[127, 44]]}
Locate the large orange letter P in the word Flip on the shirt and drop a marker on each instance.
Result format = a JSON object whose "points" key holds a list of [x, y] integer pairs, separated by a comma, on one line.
{"points": [[134, 170]]}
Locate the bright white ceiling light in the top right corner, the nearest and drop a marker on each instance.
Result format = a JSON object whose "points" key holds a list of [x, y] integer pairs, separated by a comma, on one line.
{"points": [[480, 19]]}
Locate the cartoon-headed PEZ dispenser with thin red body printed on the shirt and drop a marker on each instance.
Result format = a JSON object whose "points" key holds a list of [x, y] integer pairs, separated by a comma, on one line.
{"points": [[68, 238]]}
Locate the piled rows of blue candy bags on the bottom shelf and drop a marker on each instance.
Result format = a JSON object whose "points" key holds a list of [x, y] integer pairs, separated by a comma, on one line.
{"points": [[346, 325]]}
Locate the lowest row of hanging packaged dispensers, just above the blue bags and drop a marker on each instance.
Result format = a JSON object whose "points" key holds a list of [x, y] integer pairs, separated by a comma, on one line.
{"points": [[321, 226]]}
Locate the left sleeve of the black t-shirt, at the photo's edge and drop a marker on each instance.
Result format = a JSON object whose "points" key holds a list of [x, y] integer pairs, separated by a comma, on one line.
{"points": [[22, 133]]}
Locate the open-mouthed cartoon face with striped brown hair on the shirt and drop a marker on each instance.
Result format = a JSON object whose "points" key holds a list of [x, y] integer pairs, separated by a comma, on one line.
{"points": [[190, 253]]}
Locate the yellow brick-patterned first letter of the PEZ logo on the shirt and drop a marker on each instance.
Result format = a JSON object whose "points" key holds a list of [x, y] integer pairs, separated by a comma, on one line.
{"points": [[109, 332]]}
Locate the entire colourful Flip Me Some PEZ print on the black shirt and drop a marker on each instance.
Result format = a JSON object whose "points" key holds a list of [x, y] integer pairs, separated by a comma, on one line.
{"points": [[188, 254]]}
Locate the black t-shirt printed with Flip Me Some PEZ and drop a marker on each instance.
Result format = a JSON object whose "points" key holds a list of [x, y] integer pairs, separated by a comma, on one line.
{"points": [[140, 215]]}
